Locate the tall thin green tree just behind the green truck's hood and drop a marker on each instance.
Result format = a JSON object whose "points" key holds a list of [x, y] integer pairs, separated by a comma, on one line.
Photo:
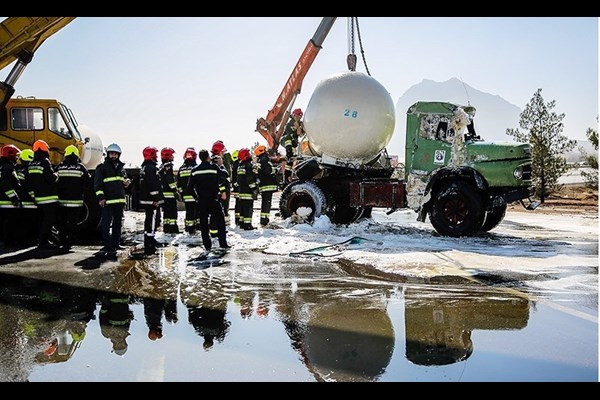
{"points": [[542, 127]]}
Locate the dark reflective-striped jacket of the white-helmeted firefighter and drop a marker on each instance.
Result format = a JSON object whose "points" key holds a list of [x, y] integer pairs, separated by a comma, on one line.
{"points": [[108, 181]]}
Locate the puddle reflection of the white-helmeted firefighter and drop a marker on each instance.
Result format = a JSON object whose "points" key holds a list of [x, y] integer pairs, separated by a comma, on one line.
{"points": [[115, 320]]}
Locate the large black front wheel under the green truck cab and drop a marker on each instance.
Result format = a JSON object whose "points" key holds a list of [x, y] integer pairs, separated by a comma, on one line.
{"points": [[457, 210]]}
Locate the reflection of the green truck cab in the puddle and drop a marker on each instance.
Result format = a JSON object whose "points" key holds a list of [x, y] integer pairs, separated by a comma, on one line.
{"points": [[438, 329]]}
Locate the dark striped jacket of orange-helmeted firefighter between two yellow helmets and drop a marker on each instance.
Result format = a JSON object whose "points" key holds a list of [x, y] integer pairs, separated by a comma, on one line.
{"points": [[41, 179]]}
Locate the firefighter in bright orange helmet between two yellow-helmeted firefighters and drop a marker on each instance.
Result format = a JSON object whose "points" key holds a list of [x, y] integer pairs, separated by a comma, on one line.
{"points": [[42, 179]]}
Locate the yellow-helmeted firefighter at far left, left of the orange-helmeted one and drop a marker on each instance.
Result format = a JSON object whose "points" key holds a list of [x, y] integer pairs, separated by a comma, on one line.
{"points": [[28, 228]]}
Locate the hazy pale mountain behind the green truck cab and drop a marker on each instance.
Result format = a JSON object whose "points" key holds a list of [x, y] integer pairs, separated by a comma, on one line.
{"points": [[494, 114]]}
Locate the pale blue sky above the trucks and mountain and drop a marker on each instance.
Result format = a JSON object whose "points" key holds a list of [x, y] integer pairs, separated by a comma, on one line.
{"points": [[182, 82]]}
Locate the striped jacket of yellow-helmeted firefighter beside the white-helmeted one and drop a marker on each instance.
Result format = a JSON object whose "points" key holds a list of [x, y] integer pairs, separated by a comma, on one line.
{"points": [[73, 179]]}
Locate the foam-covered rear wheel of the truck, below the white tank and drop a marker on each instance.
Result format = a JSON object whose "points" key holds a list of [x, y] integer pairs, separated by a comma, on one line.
{"points": [[302, 200]]}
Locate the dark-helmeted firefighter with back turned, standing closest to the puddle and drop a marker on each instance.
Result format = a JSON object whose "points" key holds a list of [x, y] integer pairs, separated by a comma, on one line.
{"points": [[204, 184]]}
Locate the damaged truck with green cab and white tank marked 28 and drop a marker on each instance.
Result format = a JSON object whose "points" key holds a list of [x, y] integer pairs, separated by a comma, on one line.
{"points": [[450, 174]]}
